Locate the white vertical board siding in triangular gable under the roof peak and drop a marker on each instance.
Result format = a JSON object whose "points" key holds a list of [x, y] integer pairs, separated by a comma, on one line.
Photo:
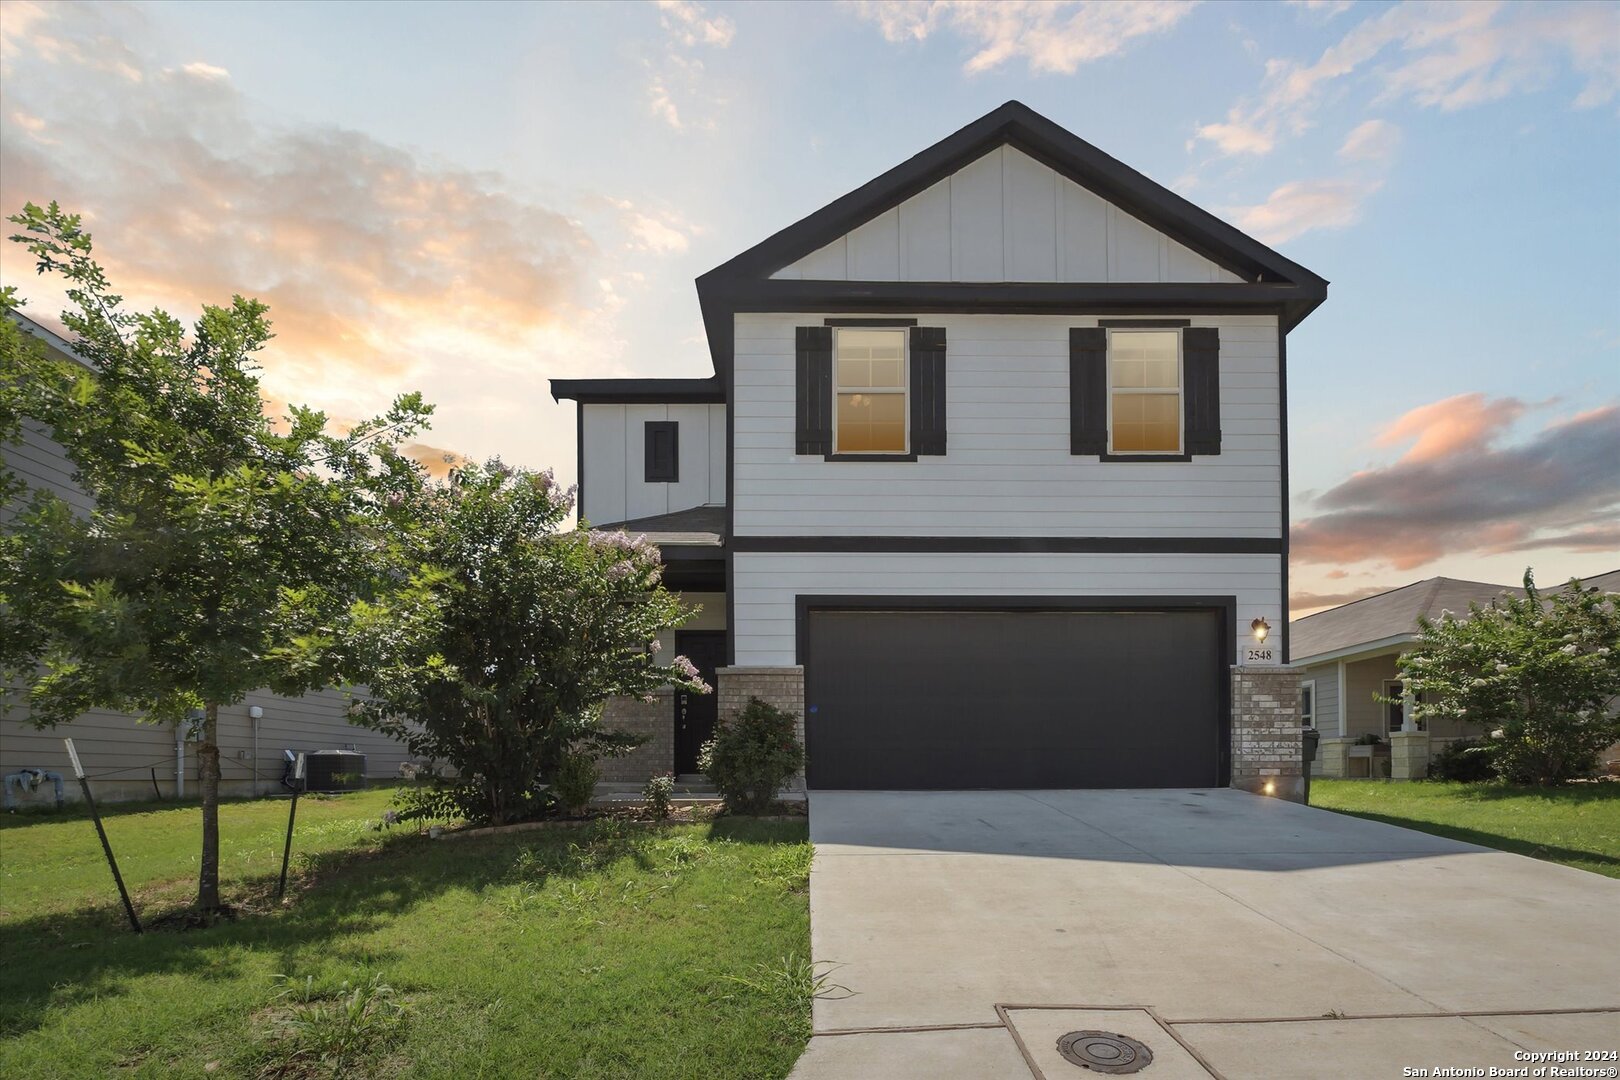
{"points": [[1005, 218]]}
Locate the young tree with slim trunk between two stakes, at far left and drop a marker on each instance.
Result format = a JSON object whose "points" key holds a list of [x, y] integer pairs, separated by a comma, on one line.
{"points": [[221, 553]]}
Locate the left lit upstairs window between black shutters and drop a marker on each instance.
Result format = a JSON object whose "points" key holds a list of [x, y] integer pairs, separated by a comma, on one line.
{"points": [[871, 375]]}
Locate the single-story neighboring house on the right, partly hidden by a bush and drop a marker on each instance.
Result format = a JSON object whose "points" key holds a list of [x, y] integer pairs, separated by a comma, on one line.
{"points": [[1350, 687]]}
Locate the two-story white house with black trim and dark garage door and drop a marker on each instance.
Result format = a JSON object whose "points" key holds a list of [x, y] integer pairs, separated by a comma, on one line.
{"points": [[989, 483]]}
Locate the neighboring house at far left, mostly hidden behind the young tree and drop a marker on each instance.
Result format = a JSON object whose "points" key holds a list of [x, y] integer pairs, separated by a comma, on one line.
{"points": [[135, 760]]}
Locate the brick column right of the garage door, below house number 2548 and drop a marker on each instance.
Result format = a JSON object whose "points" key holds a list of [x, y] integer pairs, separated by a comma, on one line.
{"points": [[1266, 746]]}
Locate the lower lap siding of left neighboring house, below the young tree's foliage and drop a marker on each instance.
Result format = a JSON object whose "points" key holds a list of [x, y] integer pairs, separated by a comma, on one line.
{"points": [[124, 754]]}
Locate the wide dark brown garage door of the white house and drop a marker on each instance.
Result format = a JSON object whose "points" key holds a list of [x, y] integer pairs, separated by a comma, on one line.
{"points": [[1013, 699]]}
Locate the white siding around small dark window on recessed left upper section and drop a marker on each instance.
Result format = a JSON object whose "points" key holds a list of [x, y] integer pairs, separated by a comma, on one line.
{"points": [[616, 461]]}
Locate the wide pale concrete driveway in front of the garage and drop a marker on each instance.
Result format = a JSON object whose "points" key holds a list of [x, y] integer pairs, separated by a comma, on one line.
{"points": [[1232, 935]]}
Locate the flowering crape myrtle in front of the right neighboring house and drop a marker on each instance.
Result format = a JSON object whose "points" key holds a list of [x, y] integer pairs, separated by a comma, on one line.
{"points": [[1538, 674]]}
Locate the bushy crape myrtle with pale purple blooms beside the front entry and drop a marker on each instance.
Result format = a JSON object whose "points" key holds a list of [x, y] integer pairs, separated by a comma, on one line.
{"points": [[514, 634]]}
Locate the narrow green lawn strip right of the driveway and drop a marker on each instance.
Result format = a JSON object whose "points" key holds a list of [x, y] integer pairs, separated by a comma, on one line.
{"points": [[1577, 825]]}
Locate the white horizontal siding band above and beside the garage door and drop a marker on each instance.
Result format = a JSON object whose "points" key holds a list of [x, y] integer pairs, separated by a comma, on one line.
{"points": [[769, 584]]}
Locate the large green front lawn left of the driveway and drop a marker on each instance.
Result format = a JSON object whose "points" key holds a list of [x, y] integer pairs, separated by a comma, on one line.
{"points": [[615, 950]]}
